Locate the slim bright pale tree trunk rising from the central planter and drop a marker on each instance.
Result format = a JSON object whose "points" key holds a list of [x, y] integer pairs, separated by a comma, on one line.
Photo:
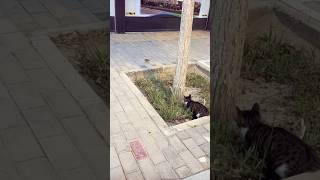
{"points": [[184, 46]]}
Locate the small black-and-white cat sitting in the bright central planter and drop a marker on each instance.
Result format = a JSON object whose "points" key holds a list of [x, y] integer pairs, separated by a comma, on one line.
{"points": [[198, 110]]}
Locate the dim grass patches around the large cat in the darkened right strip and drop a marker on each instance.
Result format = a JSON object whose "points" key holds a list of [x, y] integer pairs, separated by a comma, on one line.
{"points": [[273, 59]]}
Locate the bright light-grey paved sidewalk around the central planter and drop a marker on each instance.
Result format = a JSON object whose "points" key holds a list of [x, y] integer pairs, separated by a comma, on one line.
{"points": [[168, 157]]}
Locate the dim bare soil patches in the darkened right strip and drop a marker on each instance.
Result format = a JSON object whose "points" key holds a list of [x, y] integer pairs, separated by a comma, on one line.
{"points": [[274, 98]]}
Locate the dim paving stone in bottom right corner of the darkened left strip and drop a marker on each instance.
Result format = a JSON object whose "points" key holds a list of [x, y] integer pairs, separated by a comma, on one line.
{"points": [[97, 159]]}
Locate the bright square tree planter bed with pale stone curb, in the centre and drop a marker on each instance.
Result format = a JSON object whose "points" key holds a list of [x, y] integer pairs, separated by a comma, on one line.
{"points": [[163, 77]]}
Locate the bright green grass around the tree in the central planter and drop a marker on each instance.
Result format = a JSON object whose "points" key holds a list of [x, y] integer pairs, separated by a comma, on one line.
{"points": [[158, 92]]}
